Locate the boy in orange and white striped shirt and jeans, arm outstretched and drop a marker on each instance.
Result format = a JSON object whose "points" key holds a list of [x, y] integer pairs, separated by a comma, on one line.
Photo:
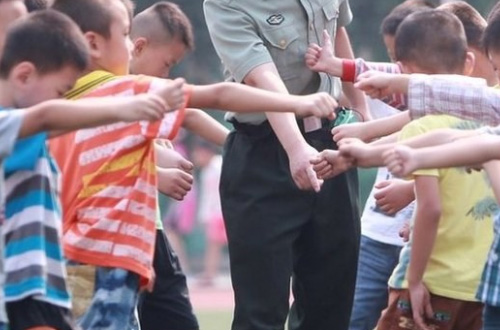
{"points": [[111, 203]]}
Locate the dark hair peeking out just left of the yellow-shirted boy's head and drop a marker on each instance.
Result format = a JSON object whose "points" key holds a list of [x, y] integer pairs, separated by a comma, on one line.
{"points": [[392, 21]]}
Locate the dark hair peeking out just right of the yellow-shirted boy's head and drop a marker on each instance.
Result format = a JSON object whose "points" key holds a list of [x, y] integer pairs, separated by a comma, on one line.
{"points": [[474, 24]]}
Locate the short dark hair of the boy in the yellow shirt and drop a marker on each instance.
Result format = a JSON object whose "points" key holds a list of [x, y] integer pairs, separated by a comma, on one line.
{"points": [[434, 40]]}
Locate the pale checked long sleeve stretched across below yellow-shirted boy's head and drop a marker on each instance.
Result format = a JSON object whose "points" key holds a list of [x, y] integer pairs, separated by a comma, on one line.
{"points": [[464, 97]]}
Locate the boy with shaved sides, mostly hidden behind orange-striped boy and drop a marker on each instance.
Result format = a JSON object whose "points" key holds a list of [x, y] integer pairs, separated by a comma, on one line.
{"points": [[162, 35]]}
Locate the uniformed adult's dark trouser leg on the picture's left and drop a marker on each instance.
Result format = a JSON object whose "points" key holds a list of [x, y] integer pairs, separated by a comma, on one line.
{"points": [[263, 211]]}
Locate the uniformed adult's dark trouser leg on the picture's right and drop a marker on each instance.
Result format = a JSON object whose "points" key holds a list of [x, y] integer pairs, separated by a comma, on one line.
{"points": [[327, 256]]}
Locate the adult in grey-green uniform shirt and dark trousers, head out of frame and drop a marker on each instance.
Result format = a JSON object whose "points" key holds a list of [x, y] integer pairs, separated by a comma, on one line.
{"points": [[278, 227]]}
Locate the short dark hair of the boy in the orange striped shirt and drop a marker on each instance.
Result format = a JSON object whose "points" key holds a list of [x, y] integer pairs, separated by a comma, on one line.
{"points": [[91, 15]]}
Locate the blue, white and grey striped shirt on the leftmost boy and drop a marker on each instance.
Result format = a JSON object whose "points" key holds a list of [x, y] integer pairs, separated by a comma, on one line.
{"points": [[34, 264]]}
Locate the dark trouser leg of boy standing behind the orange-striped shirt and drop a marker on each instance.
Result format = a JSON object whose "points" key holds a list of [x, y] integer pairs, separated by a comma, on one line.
{"points": [[168, 305]]}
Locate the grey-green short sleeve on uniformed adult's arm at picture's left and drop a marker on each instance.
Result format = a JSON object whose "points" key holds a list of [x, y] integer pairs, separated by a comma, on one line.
{"points": [[235, 38]]}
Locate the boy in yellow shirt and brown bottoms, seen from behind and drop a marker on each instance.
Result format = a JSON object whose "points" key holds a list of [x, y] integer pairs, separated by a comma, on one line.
{"points": [[427, 274]]}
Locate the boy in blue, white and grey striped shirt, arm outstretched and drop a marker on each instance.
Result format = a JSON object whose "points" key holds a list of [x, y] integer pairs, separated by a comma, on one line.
{"points": [[30, 73]]}
